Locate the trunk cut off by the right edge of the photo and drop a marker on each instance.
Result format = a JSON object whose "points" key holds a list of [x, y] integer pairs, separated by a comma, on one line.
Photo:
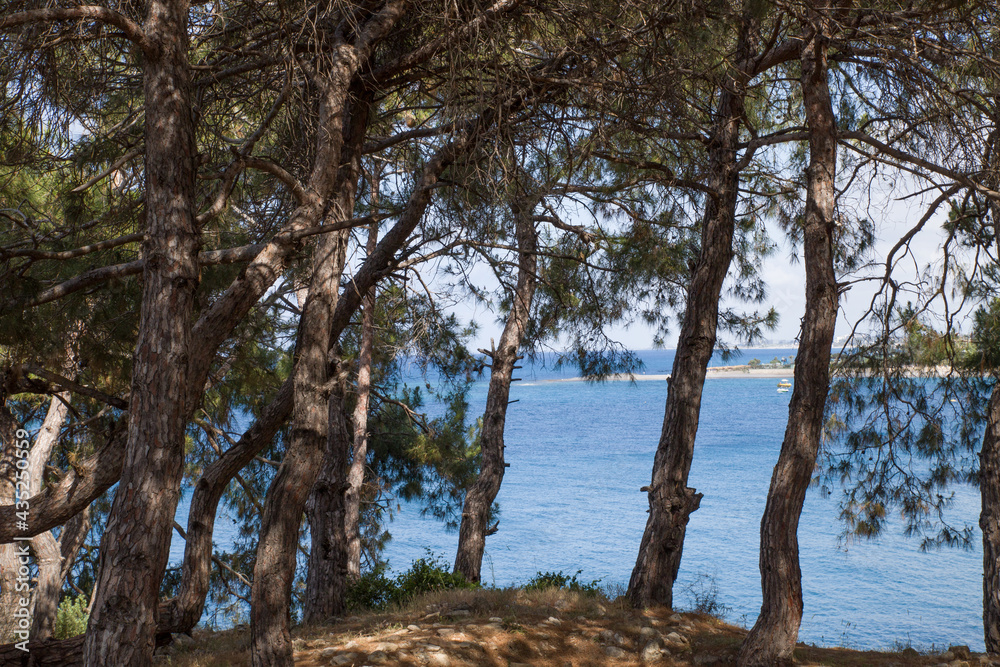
{"points": [[989, 521]]}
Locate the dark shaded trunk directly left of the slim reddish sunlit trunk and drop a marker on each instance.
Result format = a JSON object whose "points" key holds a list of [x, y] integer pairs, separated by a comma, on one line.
{"points": [[326, 580]]}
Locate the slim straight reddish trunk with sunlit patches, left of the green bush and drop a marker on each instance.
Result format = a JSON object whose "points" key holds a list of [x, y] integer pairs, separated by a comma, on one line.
{"points": [[359, 457]]}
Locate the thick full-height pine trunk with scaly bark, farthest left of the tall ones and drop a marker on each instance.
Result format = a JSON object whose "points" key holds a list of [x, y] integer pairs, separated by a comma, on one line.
{"points": [[136, 541]]}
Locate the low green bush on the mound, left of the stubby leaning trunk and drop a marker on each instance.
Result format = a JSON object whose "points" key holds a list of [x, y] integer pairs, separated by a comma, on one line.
{"points": [[374, 590]]}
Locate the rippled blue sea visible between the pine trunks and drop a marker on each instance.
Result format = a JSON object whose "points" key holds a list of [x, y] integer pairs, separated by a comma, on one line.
{"points": [[580, 451]]}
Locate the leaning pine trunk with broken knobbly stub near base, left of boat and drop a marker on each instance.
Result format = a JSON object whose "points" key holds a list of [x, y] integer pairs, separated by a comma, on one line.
{"points": [[671, 500]]}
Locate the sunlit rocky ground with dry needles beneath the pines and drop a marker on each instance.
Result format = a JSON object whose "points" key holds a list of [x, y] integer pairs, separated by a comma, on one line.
{"points": [[514, 628]]}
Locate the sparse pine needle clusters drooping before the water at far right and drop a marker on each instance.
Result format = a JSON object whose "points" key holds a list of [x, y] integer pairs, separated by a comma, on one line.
{"points": [[900, 433]]}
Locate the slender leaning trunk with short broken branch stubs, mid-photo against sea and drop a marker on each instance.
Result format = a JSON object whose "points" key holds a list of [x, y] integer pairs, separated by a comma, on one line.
{"points": [[479, 499]]}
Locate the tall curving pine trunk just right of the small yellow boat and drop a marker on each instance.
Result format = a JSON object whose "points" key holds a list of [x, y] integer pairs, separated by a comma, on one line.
{"points": [[771, 641]]}
